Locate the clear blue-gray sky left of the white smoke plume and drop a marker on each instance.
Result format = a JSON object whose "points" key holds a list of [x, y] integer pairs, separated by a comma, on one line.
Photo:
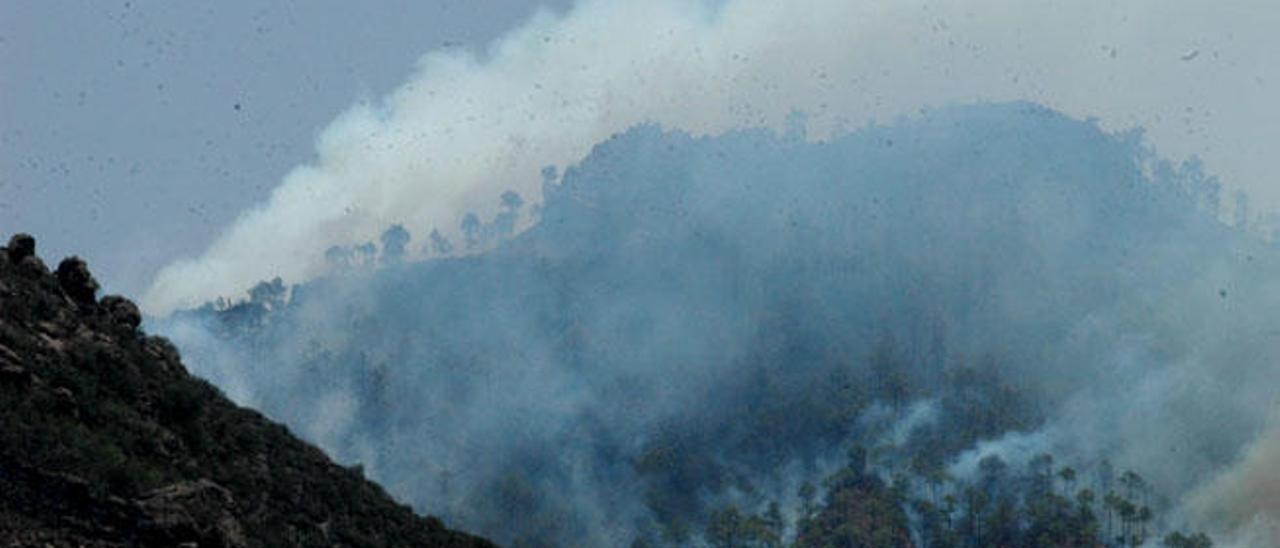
{"points": [[134, 131]]}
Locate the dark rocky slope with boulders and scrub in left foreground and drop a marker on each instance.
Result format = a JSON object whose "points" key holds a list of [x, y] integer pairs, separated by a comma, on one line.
{"points": [[106, 441]]}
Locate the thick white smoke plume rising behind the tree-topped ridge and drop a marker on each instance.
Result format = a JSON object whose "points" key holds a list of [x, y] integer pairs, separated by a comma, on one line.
{"points": [[469, 126]]}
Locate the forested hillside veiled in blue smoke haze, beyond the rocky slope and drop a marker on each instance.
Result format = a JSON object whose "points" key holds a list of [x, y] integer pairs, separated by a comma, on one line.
{"points": [[984, 326]]}
